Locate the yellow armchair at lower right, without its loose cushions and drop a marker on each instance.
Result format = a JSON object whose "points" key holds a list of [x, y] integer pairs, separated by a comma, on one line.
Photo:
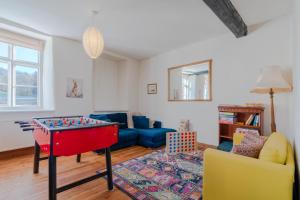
{"points": [[228, 176]]}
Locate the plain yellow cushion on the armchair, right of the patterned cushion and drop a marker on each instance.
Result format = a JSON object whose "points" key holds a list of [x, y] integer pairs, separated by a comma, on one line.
{"points": [[275, 149]]}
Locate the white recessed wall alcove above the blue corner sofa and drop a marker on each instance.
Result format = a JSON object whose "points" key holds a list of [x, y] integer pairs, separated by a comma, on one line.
{"points": [[116, 85]]}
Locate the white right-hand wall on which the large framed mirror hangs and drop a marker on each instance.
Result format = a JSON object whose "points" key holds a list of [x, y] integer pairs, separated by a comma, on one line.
{"points": [[236, 65]]}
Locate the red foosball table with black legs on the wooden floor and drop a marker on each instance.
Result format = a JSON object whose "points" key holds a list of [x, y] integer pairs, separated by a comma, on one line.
{"points": [[67, 136]]}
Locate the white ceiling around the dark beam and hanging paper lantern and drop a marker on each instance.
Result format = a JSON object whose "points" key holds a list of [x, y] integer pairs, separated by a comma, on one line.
{"points": [[136, 28]]}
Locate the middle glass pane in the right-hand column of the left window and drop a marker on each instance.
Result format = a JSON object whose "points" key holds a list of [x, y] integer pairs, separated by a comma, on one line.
{"points": [[26, 76]]}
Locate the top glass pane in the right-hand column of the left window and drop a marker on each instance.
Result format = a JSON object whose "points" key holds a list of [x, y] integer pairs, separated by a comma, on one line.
{"points": [[26, 54]]}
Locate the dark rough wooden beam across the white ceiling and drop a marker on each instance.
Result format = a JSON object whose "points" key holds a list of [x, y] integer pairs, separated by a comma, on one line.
{"points": [[227, 13]]}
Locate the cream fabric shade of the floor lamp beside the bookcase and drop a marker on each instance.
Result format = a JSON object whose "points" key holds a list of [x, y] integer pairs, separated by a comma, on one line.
{"points": [[271, 78]]}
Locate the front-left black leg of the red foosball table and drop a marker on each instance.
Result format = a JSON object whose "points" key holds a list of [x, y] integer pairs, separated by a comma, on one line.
{"points": [[52, 177]]}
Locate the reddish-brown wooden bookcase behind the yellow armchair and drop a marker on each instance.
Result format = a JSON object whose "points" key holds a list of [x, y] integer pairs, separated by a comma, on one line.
{"points": [[241, 115]]}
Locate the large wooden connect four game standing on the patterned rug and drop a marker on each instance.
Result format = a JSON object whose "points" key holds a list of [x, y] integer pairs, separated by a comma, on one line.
{"points": [[179, 142]]}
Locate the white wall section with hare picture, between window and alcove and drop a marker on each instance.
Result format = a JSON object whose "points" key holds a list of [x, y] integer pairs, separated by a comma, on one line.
{"points": [[70, 61]]}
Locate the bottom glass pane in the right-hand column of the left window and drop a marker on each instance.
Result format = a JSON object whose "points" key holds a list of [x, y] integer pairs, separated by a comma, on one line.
{"points": [[26, 95]]}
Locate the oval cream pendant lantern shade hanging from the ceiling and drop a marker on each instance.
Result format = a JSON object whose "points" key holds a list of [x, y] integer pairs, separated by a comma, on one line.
{"points": [[93, 42]]}
